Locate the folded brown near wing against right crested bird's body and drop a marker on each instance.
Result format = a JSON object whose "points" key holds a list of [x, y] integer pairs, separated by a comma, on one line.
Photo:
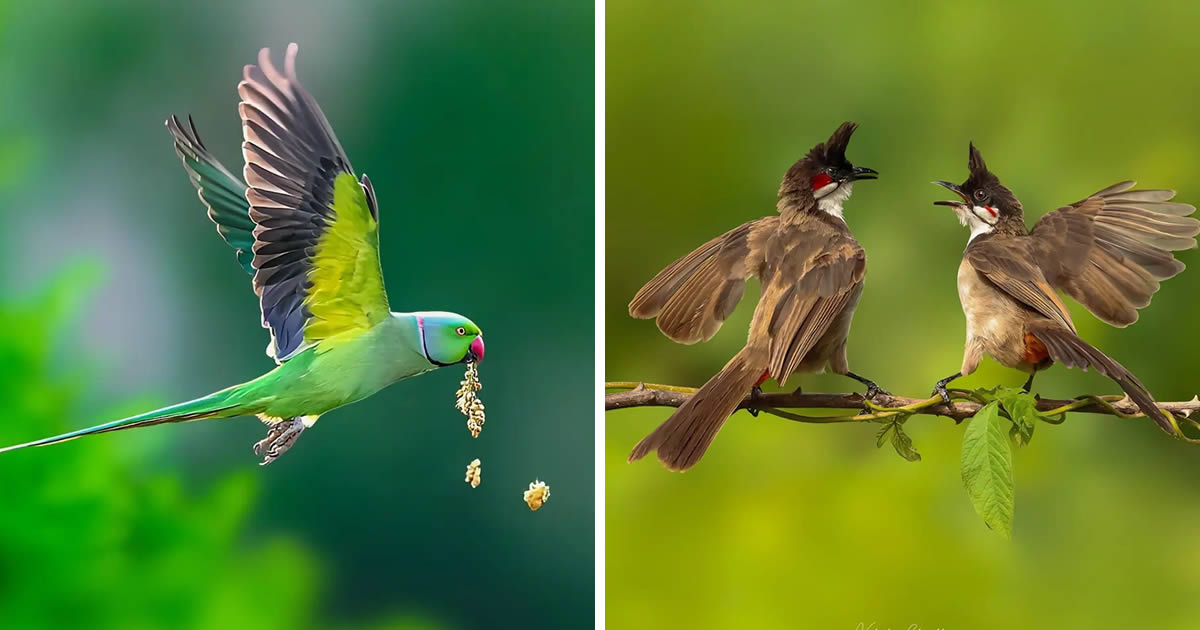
{"points": [[1010, 263]]}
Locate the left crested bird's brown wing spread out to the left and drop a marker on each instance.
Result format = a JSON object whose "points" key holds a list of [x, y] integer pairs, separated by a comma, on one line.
{"points": [[693, 297]]}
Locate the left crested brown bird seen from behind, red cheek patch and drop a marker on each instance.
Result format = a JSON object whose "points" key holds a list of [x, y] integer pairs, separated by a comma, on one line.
{"points": [[812, 274]]}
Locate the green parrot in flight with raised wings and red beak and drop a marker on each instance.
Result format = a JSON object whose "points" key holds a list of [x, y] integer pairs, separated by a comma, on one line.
{"points": [[308, 230]]}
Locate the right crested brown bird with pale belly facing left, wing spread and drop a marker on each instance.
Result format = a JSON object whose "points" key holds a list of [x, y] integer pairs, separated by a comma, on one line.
{"points": [[1108, 251]]}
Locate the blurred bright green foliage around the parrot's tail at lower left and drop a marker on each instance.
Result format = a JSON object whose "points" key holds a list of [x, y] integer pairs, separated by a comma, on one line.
{"points": [[101, 544]]}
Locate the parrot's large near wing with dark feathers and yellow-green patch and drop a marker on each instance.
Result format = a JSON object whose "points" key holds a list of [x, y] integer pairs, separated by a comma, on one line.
{"points": [[317, 226]]}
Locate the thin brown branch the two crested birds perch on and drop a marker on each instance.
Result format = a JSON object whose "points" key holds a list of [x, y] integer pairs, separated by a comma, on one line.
{"points": [[884, 406]]}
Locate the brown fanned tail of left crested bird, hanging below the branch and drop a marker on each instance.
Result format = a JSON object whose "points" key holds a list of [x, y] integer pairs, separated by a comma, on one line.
{"points": [[686, 436]]}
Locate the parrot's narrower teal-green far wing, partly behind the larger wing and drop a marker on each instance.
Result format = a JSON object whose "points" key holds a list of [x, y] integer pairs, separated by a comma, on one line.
{"points": [[223, 193]]}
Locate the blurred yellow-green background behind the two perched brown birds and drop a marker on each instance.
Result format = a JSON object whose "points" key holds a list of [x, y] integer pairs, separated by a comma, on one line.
{"points": [[802, 526]]}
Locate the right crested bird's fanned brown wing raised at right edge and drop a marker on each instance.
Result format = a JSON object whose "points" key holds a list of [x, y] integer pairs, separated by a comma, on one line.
{"points": [[1111, 250]]}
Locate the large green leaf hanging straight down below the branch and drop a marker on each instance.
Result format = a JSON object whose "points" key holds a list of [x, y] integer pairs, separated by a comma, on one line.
{"points": [[988, 469]]}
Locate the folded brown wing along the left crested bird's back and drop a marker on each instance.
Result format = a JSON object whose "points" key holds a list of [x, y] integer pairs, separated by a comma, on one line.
{"points": [[812, 274]]}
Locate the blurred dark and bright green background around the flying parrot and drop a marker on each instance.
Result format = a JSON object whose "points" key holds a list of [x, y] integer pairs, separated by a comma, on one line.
{"points": [[118, 296]]}
